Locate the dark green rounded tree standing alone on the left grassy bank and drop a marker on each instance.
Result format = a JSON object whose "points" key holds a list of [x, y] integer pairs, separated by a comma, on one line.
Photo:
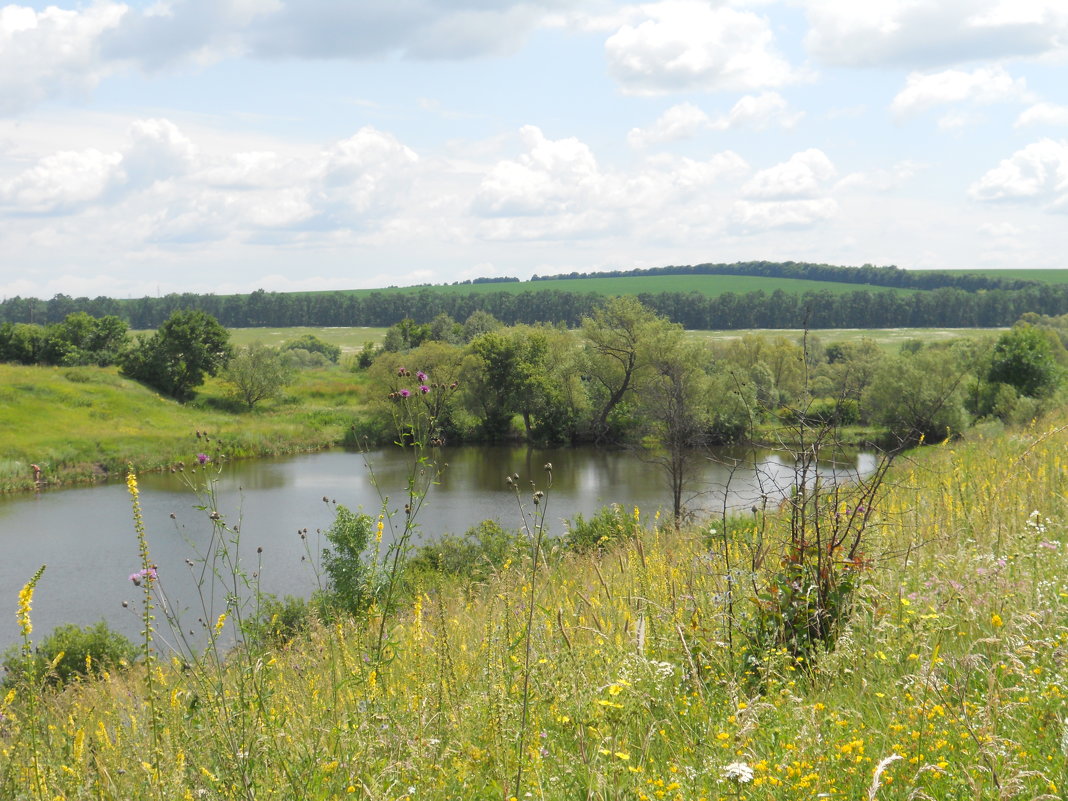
{"points": [[176, 360]]}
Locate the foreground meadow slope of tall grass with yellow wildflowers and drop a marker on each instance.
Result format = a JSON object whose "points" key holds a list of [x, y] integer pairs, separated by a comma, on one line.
{"points": [[654, 666]]}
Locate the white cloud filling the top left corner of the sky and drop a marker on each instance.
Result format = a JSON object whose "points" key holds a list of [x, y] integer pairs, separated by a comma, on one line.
{"points": [[53, 53]]}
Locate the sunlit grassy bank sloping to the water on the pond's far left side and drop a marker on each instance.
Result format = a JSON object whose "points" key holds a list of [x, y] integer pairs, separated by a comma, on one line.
{"points": [[82, 426]]}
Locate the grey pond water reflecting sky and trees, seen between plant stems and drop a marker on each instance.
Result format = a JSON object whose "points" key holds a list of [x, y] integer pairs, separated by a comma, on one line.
{"points": [[86, 537]]}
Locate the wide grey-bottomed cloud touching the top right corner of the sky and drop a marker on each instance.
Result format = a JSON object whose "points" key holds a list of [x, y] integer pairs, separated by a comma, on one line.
{"points": [[933, 33]]}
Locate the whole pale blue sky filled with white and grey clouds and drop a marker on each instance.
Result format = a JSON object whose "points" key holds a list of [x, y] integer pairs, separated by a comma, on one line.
{"points": [[229, 146]]}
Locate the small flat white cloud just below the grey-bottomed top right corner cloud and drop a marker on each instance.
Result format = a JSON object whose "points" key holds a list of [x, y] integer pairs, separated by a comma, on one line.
{"points": [[982, 86]]}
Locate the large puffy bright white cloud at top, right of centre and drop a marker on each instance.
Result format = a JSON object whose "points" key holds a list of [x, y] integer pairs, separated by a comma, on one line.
{"points": [[684, 46]]}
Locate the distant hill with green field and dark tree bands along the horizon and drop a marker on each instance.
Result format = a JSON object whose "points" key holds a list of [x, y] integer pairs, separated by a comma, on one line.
{"points": [[706, 296]]}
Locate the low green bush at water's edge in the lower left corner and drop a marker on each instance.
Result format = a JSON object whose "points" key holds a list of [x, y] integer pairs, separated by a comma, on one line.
{"points": [[77, 652]]}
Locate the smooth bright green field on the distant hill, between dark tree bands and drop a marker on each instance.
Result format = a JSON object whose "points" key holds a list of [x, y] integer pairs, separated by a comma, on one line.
{"points": [[711, 286]]}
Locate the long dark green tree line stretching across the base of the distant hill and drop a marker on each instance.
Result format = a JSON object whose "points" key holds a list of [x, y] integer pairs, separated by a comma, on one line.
{"points": [[947, 307]]}
